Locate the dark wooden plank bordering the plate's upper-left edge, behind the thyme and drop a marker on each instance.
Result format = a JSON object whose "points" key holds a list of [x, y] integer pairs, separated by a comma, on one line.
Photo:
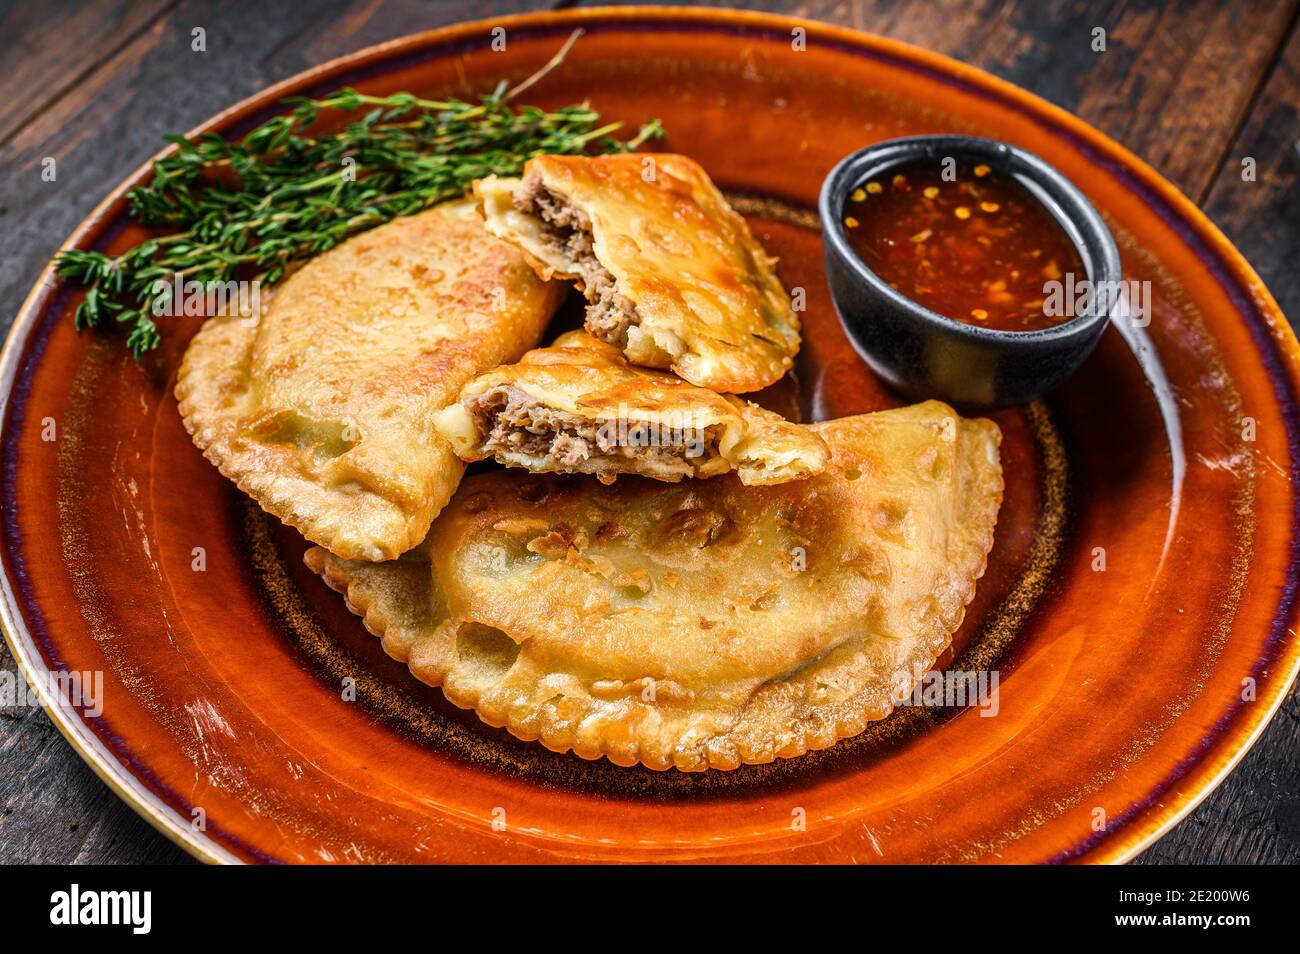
{"points": [[115, 119]]}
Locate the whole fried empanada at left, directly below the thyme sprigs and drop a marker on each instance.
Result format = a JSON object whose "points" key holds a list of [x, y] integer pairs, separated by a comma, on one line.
{"points": [[323, 410]]}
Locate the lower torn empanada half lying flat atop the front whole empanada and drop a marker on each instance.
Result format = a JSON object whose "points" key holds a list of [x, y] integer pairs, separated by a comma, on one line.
{"points": [[579, 407]]}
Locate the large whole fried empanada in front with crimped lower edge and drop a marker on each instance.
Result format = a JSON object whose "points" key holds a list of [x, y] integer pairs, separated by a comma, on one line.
{"points": [[705, 625]]}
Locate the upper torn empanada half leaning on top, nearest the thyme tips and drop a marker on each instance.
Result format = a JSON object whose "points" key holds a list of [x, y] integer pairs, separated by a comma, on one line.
{"points": [[673, 276]]}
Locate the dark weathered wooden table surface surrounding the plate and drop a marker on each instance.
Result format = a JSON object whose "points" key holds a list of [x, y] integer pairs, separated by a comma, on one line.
{"points": [[1193, 86]]}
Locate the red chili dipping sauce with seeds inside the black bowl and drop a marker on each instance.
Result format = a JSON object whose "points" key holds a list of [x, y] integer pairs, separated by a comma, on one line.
{"points": [[977, 248]]}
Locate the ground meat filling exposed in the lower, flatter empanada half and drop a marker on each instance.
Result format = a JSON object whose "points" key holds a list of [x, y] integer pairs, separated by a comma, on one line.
{"points": [[513, 422]]}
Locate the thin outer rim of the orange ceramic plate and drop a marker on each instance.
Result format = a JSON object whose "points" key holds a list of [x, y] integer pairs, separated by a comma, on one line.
{"points": [[1117, 849]]}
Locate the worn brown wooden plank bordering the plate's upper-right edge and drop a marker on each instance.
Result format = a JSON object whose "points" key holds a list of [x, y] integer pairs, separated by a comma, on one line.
{"points": [[1171, 86]]}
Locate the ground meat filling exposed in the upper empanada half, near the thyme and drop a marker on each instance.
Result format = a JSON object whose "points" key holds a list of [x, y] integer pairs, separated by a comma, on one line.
{"points": [[569, 231]]}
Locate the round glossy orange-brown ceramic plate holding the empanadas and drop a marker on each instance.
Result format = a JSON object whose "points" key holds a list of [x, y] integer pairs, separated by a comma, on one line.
{"points": [[1139, 606]]}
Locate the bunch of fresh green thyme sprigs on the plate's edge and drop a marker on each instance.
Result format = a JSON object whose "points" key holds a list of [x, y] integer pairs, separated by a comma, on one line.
{"points": [[261, 205]]}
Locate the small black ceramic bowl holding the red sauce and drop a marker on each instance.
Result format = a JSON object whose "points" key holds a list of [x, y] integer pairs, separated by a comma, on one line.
{"points": [[924, 354]]}
